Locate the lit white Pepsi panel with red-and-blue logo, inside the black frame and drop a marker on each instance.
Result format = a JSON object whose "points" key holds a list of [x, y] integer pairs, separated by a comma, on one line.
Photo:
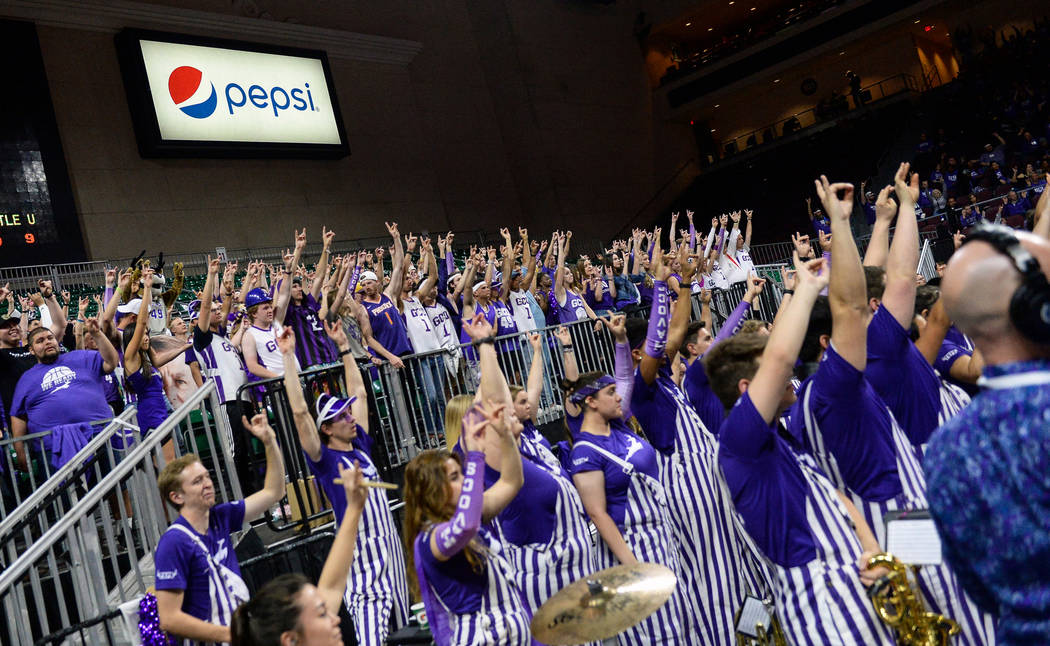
{"points": [[220, 95]]}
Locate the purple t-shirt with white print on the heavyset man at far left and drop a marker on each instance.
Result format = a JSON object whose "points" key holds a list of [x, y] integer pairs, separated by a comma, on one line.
{"points": [[70, 391]]}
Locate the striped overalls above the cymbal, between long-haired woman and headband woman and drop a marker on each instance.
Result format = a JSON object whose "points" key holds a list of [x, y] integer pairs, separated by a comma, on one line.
{"points": [[541, 570]]}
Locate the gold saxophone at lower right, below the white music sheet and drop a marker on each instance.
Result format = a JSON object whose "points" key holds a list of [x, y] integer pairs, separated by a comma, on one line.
{"points": [[899, 606]]}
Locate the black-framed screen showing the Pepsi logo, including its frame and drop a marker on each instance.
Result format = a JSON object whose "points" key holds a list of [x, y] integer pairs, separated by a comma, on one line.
{"points": [[197, 97]]}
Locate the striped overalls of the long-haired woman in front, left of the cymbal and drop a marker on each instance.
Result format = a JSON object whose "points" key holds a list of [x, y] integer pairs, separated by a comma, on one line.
{"points": [[501, 621]]}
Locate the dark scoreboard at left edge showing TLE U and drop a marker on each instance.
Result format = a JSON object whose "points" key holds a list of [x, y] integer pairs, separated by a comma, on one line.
{"points": [[38, 220]]}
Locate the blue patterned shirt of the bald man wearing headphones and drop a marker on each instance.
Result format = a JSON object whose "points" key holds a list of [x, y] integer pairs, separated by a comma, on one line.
{"points": [[989, 475]]}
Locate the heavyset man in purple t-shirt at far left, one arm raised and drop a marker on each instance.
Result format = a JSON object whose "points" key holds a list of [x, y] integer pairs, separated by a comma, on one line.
{"points": [[62, 393]]}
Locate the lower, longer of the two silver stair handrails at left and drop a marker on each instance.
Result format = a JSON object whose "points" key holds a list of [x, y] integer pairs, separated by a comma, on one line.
{"points": [[15, 572]]}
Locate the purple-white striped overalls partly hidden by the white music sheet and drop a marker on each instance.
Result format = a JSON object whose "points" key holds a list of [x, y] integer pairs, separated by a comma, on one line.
{"points": [[942, 592]]}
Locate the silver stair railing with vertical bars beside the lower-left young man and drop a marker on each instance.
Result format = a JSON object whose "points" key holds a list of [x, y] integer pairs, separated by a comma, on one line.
{"points": [[99, 554]]}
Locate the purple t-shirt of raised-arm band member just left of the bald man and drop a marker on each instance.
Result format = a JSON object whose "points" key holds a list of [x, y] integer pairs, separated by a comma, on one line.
{"points": [[902, 378]]}
